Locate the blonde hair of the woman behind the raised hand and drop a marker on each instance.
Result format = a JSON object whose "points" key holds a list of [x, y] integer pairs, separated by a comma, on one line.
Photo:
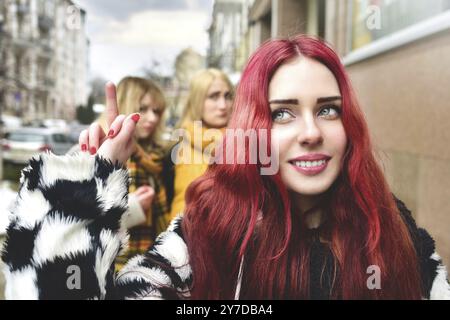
{"points": [[130, 92]]}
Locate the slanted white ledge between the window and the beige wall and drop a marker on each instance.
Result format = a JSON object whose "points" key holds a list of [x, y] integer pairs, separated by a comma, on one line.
{"points": [[400, 38]]}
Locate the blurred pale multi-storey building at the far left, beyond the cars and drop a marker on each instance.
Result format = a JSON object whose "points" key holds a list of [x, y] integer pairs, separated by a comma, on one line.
{"points": [[44, 58]]}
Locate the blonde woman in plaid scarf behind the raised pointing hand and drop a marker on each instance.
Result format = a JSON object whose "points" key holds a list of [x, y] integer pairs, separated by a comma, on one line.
{"points": [[148, 210]]}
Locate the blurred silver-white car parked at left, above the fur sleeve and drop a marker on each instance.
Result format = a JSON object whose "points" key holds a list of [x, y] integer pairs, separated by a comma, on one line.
{"points": [[22, 144]]}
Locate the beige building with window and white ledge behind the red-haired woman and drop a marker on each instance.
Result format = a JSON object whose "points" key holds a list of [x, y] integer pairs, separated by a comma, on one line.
{"points": [[397, 53]]}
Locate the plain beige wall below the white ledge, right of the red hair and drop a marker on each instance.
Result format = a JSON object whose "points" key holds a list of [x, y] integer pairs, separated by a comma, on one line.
{"points": [[405, 96]]}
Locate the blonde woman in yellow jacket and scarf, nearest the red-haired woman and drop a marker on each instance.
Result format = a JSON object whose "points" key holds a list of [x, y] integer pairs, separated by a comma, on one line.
{"points": [[208, 107]]}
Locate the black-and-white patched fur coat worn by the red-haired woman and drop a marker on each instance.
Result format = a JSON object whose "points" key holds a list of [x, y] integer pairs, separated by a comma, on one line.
{"points": [[67, 218]]}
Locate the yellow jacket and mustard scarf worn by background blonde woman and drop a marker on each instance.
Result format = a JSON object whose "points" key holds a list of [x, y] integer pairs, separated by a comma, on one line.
{"points": [[195, 151]]}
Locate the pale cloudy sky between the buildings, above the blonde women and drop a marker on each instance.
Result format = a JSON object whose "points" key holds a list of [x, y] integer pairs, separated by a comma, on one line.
{"points": [[127, 36]]}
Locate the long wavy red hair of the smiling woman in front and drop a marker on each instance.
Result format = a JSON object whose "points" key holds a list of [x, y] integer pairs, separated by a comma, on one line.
{"points": [[364, 226]]}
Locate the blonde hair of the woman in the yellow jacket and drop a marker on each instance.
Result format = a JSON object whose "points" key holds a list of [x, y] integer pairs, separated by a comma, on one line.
{"points": [[198, 91]]}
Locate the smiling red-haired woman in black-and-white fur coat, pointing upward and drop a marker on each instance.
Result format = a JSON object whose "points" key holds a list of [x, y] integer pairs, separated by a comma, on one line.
{"points": [[325, 226]]}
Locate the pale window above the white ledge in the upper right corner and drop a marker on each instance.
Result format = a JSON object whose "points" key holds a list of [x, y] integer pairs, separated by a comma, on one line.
{"points": [[375, 19]]}
